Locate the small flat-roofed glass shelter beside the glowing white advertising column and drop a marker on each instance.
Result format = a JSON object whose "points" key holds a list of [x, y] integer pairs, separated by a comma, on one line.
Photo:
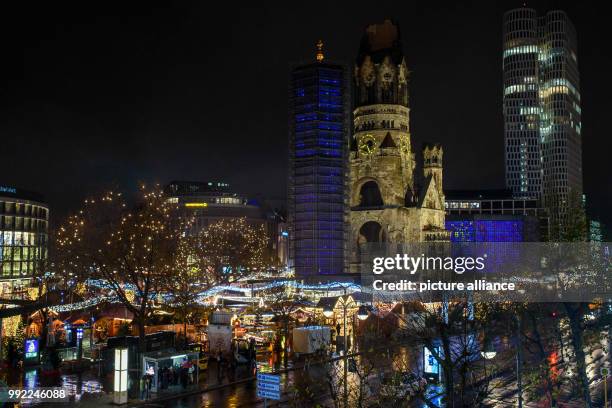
{"points": [[166, 368]]}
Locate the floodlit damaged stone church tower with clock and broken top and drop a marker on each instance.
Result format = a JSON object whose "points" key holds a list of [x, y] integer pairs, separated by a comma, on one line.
{"points": [[385, 205]]}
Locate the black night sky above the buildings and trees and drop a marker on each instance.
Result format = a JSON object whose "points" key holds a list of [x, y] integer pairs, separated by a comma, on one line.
{"points": [[96, 94]]}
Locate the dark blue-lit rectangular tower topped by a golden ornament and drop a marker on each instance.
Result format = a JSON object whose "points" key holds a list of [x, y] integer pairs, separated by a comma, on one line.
{"points": [[318, 146]]}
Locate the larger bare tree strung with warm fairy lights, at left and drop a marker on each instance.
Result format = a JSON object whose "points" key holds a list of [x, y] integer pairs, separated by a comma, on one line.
{"points": [[132, 248]]}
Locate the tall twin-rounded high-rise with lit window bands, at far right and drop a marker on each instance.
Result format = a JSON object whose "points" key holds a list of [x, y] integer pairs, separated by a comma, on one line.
{"points": [[542, 108]]}
